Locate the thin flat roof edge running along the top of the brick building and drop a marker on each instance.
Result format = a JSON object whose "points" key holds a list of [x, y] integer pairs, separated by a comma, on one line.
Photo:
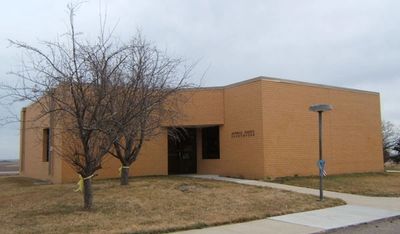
{"points": [[279, 80]]}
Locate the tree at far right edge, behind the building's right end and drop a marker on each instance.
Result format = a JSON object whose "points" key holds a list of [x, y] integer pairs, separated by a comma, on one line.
{"points": [[390, 136]]}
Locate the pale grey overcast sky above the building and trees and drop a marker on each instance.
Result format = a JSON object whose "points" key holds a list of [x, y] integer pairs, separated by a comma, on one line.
{"points": [[354, 44]]}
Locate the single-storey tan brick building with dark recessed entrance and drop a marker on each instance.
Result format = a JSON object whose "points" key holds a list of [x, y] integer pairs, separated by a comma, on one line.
{"points": [[253, 129]]}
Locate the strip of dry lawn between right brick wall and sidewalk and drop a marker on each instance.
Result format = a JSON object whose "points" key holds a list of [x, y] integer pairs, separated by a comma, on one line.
{"points": [[370, 184]]}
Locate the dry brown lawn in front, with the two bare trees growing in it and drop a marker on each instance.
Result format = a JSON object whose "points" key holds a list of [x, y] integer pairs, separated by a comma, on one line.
{"points": [[147, 205]]}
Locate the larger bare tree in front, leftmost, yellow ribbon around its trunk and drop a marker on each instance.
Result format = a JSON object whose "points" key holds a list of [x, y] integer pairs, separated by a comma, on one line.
{"points": [[71, 81]]}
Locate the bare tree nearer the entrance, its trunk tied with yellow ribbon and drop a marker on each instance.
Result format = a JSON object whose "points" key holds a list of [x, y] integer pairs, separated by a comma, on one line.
{"points": [[149, 96]]}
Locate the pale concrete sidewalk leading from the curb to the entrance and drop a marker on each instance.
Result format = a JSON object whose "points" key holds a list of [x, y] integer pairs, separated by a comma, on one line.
{"points": [[359, 209]]}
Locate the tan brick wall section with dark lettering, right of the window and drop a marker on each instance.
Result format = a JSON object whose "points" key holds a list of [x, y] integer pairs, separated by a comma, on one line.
{"points": [[241, 156]]}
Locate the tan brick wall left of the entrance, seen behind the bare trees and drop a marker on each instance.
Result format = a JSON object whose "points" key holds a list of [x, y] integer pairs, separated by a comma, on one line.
{"points": [[153, 159]]}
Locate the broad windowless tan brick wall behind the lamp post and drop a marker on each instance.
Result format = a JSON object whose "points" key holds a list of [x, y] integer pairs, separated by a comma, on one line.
{"points": [[351, 131]]}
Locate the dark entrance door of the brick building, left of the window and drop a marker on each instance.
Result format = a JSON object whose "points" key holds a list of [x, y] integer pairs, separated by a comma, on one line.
{"points": [[182, 152]]}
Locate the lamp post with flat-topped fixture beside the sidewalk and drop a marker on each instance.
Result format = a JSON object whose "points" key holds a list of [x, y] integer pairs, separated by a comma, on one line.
{"points": [[321, 163]]}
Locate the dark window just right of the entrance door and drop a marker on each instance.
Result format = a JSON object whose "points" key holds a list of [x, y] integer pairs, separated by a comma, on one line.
{"points": [[210, 142]]}
